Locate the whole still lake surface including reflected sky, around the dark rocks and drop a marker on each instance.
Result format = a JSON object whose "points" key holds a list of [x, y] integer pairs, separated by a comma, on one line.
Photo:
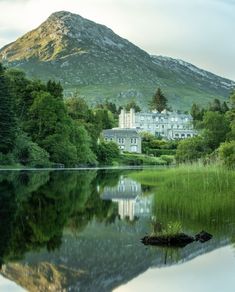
{"points": [[81, 231]]}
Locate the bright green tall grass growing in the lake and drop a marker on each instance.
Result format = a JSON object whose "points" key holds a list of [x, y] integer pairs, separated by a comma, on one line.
{"points": [[200, 197]]}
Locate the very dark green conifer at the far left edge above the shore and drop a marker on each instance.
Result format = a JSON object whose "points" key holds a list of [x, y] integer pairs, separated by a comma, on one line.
{"points": [[7, 115]]}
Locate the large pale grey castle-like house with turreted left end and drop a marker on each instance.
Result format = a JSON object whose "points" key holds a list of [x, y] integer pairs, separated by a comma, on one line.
{"points": [[168, 125]]}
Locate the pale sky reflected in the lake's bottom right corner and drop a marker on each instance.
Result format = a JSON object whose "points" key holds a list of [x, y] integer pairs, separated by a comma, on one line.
{"points": [[212, 271]]}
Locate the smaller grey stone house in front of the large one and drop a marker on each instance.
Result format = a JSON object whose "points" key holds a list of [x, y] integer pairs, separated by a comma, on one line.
{"points": [[128, 140]]}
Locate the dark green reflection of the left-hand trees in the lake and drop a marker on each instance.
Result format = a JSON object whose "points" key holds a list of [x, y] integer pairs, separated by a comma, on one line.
{"points": [[36, 206]]}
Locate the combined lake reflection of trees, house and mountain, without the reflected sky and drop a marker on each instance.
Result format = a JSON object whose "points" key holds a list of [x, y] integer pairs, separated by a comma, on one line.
{"points": [[65, 230]]}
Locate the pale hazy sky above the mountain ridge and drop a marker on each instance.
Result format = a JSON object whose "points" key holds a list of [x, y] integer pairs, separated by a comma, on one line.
{"points": [[199, 31]]}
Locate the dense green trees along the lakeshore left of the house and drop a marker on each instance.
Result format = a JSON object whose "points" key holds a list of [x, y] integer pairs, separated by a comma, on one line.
{"points": [[39, 128]]}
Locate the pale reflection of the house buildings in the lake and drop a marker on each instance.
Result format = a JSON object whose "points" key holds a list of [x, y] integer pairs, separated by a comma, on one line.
{"points": [[131, 201]]}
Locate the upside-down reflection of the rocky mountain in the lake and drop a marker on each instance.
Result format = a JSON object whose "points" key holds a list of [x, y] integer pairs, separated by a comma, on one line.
{"points": [[99, 260]]}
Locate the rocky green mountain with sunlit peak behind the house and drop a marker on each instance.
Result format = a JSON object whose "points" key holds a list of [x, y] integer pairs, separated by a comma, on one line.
{"points": [[91, 58]]}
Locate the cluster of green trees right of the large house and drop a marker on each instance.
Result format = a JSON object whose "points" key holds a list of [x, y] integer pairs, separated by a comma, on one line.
{"points": [[216, 138]]}
